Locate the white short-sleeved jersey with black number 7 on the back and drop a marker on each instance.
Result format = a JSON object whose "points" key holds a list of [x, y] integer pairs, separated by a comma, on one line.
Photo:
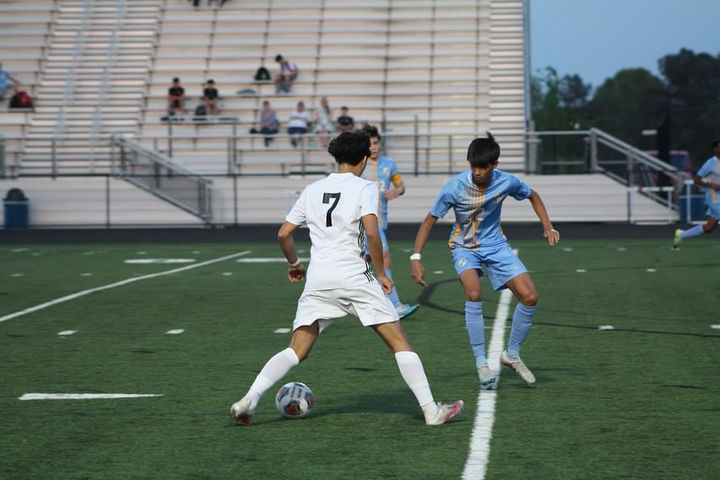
{"points": [[332, 208]]}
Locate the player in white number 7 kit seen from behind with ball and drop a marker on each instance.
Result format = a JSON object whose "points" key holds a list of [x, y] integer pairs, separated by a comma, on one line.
{"points": [[341, 211]]}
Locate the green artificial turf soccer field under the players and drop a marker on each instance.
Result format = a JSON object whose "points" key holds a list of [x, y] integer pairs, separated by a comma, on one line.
{"points": [[639, 401]]}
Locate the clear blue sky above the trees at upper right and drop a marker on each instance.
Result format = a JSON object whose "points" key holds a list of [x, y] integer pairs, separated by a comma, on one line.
{"points": [[596, 38]]}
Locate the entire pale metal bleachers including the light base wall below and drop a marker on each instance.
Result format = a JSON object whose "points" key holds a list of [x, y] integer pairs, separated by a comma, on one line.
{"points": [[432, 73]]}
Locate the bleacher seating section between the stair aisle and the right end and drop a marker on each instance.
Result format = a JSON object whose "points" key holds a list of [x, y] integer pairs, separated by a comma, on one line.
{"points": [[435, 66]]}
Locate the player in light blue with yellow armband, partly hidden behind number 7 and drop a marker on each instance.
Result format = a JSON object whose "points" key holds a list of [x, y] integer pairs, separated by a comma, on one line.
{"points": [[382, 170]]}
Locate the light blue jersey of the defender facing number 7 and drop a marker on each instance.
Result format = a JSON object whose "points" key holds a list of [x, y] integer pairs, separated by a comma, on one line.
{"points": [[477, 213]]}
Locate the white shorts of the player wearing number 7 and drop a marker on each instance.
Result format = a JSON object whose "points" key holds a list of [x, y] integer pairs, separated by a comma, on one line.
{"points": [[366, 301]]}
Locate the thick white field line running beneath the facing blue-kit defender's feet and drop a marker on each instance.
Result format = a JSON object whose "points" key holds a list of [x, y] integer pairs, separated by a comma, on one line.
{"points": [[476, 464]]}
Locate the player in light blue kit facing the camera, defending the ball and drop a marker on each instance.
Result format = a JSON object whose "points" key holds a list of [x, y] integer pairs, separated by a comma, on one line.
{"points": [[476, 240]]}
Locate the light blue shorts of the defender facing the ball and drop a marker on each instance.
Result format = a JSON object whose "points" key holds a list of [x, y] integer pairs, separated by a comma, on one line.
{"points": [[501, 263]]}
